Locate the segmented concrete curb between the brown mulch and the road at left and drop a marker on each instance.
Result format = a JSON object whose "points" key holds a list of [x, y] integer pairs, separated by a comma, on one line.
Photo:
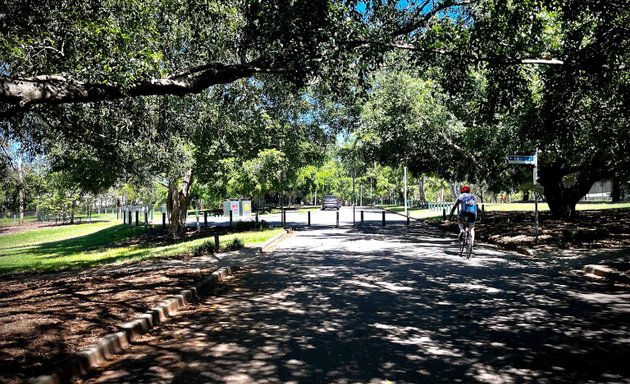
{"points": [[117, 342]]}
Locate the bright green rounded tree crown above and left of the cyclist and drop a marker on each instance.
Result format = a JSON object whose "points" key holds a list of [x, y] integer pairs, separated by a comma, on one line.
{"points": [[406, 122]]}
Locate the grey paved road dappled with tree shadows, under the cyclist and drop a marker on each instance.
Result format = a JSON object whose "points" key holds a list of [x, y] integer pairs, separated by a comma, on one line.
{"points": [[387, 306]]}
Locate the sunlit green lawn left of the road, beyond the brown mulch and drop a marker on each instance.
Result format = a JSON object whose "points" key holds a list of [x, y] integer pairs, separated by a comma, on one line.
{"points": [[92, 244]]}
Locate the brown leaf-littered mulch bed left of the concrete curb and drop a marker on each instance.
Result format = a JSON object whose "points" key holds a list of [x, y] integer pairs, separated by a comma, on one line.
{"points": [[47, 318]]}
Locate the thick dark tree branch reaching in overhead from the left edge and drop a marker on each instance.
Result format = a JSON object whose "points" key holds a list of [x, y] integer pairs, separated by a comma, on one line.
{"points": [[58, 90]]}
